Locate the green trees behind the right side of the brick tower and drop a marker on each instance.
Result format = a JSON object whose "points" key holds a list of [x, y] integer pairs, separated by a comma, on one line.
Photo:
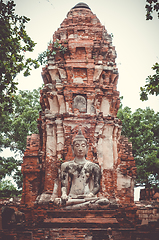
{"points": [[142, 129]]}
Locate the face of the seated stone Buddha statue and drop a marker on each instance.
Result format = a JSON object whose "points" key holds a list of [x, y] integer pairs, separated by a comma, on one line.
{"points": [[80, 148]]}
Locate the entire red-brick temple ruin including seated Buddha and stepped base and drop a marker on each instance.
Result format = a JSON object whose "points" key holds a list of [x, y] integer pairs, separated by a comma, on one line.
{"points": [[79, 103]]}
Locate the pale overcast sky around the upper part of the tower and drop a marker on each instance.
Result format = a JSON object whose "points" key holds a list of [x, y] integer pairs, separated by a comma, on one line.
{"points": [[135, 39]]}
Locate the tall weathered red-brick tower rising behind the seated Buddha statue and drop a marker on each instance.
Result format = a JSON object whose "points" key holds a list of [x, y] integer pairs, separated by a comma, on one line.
{"points": [[80, 92]]}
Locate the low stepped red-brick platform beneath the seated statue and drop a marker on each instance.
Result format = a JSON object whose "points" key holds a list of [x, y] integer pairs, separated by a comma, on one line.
{"points": [[132, 222]]}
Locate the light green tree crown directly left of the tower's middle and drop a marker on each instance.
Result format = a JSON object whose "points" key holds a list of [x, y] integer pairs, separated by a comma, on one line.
{"points": [[15, 126]]}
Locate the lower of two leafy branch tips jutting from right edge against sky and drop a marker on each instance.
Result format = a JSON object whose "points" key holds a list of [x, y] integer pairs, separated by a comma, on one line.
{"points": [[152, 85]]}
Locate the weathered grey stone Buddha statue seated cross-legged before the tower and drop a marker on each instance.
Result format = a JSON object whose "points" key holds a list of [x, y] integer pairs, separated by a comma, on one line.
{"points": [[82, 177]]}
